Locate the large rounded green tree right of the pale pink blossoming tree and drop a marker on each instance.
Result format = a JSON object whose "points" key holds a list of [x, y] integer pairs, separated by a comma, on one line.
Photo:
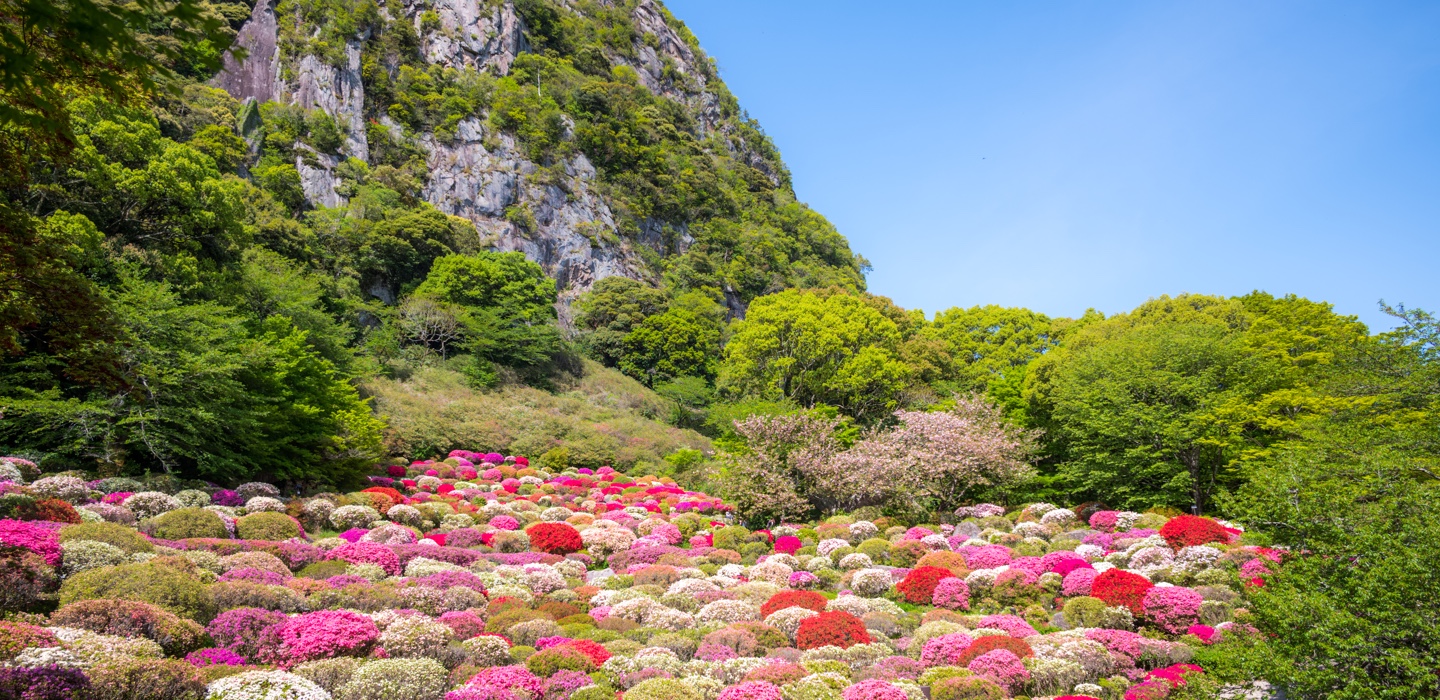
{"points": [[1167, 404]]}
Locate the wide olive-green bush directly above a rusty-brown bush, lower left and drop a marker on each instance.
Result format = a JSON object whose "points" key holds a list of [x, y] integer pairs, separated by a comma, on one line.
{"points": [[169, 583]]}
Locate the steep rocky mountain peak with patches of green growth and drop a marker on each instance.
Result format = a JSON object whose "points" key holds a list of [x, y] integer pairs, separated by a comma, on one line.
{"points": [[593, 136]]}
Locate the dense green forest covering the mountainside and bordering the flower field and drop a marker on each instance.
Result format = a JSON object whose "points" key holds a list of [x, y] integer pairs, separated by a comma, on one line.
{"points": [[174, 300]]}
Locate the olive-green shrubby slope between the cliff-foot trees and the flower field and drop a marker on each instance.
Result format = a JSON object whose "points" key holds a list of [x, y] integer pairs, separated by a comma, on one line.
{"points": [[601, 418]]}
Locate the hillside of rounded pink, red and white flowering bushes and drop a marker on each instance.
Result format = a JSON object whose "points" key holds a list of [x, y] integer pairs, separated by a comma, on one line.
{"points": [[479, 577]]}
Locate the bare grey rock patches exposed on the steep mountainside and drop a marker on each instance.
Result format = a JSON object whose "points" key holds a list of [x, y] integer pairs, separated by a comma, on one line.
{"points": [[559, 221]]}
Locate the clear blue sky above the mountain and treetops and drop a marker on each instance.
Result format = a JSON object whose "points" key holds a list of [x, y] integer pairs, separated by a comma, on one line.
{"points": [[1074, 155]]}
